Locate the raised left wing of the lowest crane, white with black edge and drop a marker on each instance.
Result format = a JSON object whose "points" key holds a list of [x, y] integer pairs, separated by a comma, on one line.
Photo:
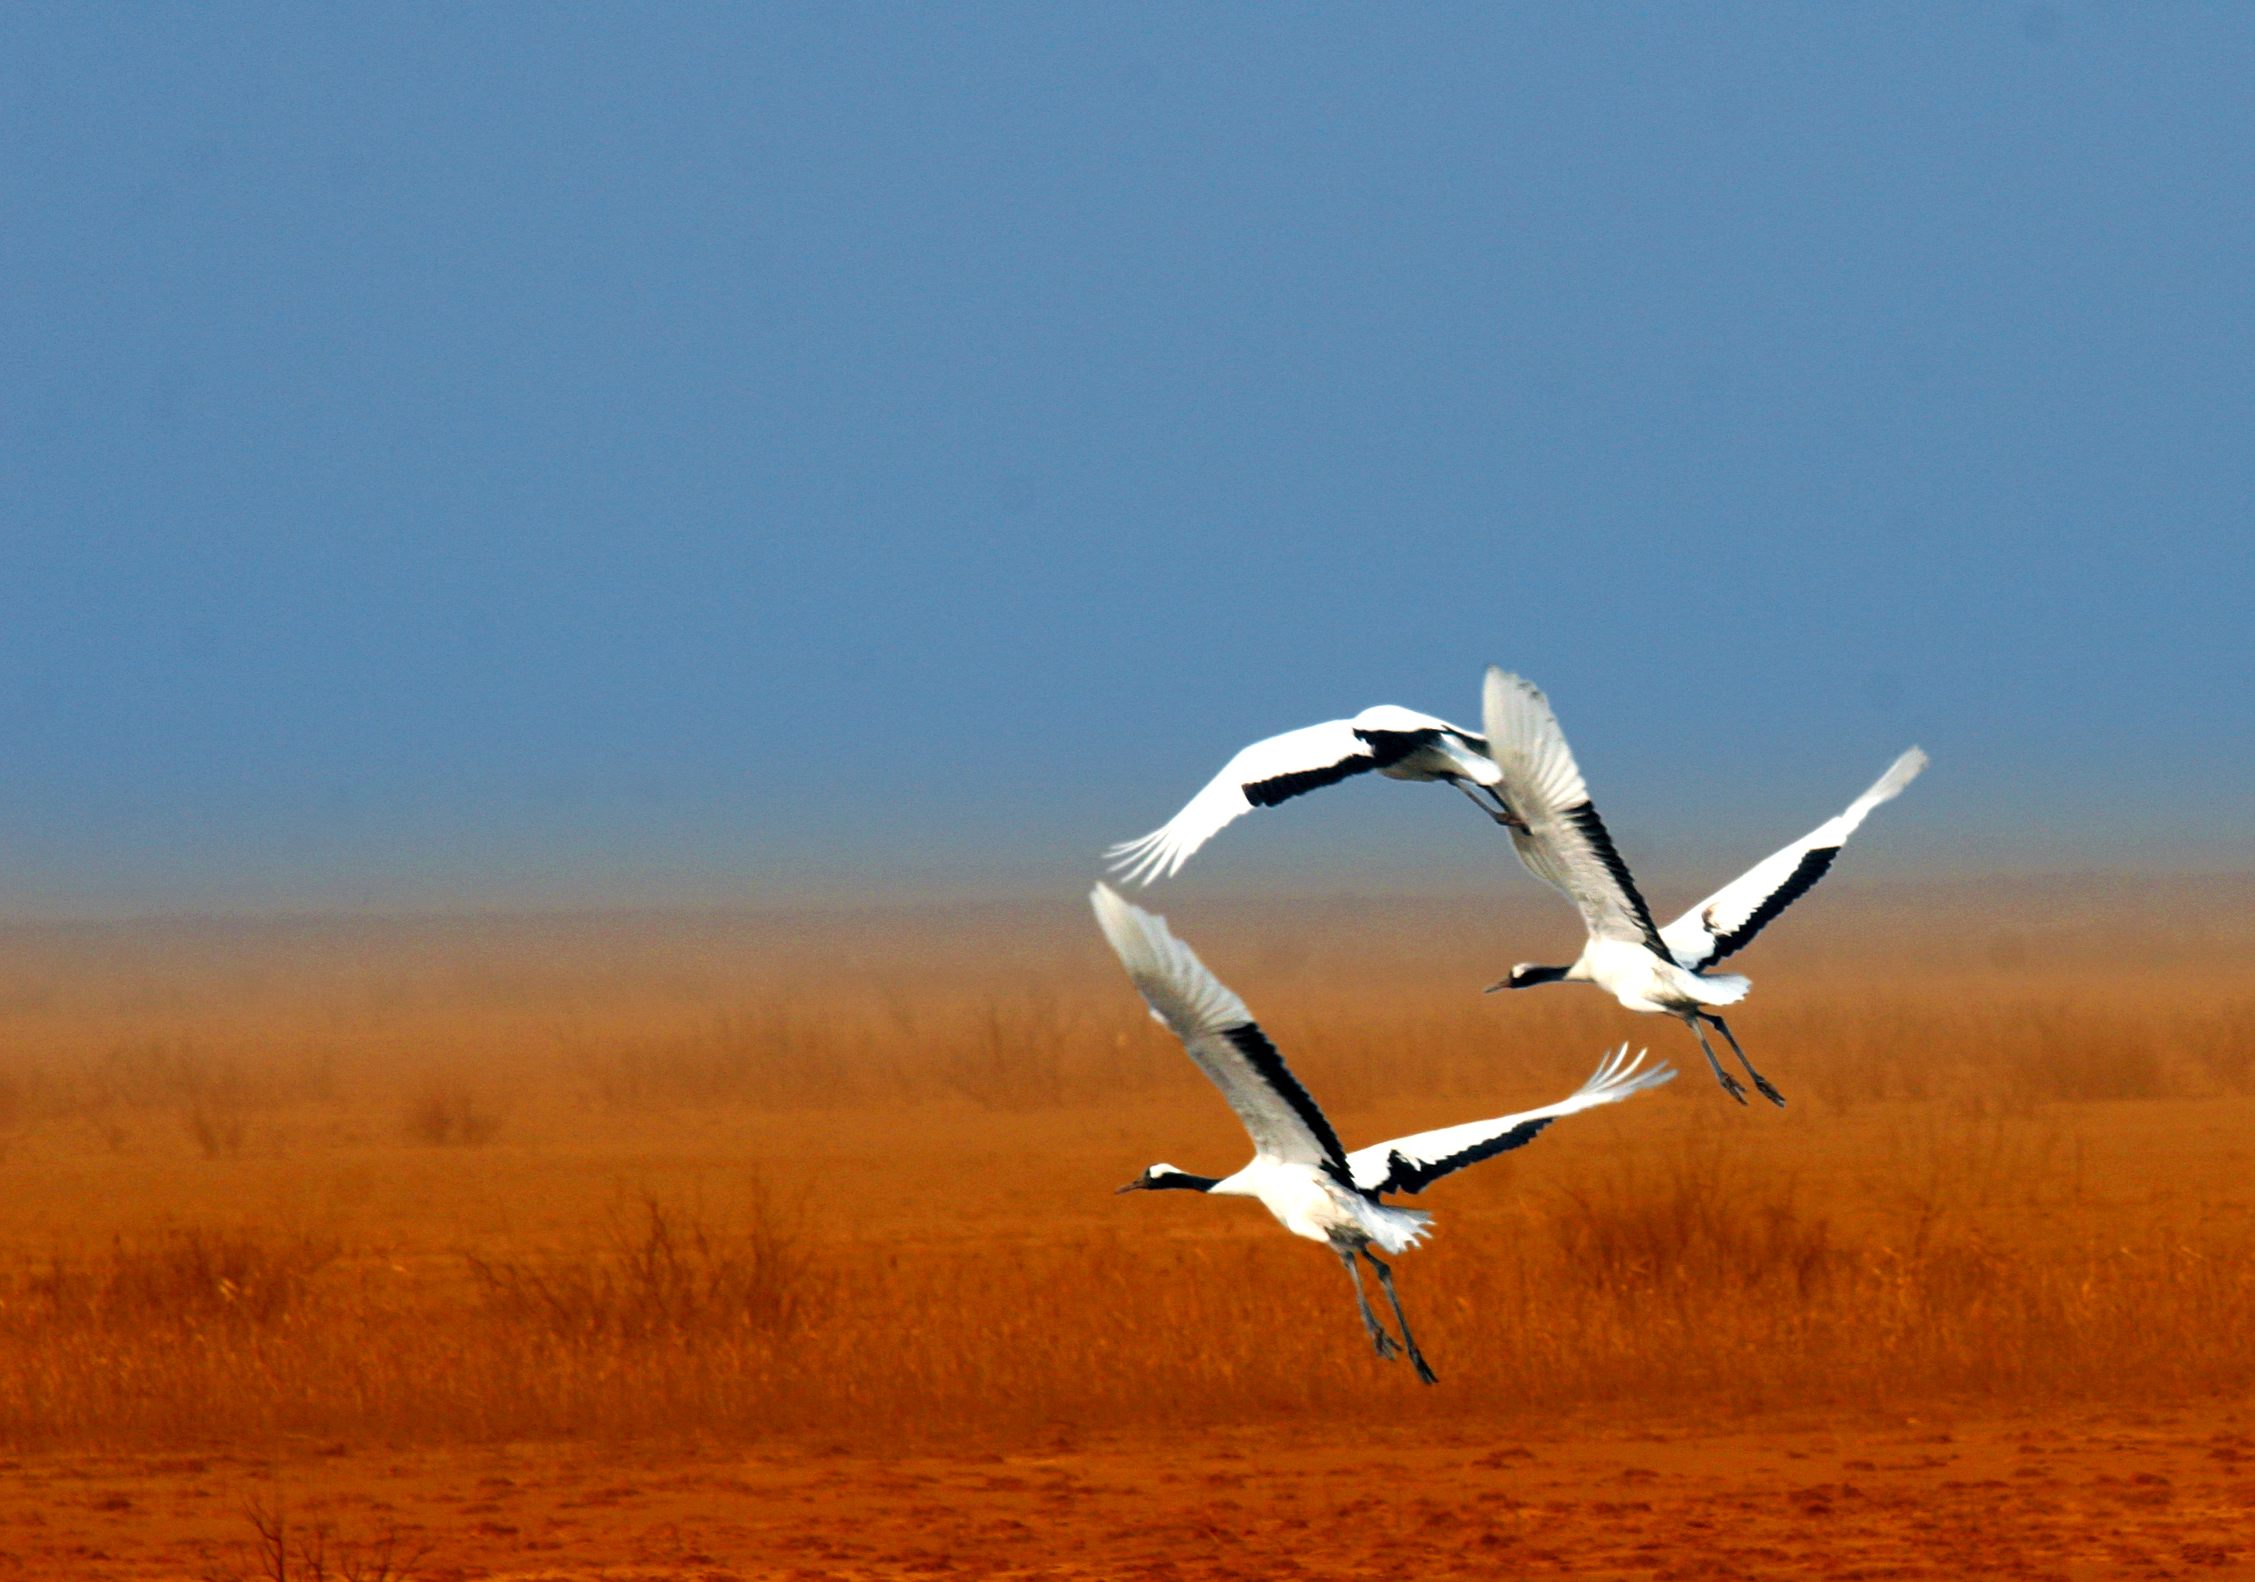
{"points": [[1221, 1036]]}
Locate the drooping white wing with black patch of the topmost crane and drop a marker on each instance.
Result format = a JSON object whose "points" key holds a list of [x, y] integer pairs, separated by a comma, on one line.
{"points": [[1275, 772]]}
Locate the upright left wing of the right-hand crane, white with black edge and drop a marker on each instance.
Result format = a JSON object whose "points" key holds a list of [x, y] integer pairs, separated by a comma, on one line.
{"points": [[1566, 844]]}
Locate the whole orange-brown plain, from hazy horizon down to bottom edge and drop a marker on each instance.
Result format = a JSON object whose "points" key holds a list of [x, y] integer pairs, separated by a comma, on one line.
{"points": [[797, 1236]]}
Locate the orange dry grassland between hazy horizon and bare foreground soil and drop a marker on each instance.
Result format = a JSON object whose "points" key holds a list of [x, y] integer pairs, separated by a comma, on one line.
{"points": [[851, 1177]]}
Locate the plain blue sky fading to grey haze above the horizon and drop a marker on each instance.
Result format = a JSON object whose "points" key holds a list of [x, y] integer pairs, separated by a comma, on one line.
{"points": [[554, 454]]}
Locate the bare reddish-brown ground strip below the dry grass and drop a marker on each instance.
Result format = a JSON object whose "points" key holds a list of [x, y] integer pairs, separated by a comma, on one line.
{"points": [[2064, 1495]]}
